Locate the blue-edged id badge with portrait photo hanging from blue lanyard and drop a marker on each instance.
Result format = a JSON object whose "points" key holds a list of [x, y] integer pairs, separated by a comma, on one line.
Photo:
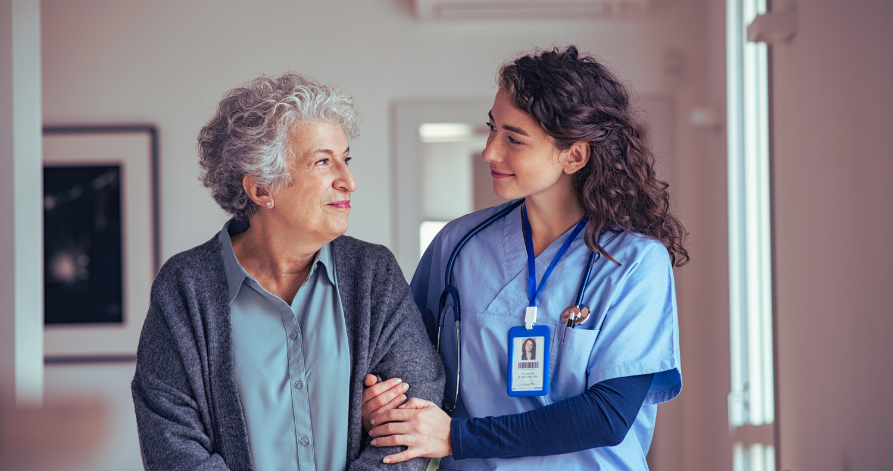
{"points": [[528, 365]]}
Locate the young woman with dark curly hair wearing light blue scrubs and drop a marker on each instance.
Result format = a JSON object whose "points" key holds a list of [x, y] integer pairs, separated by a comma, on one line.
{"points": [[564, 138]]}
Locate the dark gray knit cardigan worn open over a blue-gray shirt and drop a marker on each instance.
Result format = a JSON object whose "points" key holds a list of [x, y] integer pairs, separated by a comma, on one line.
{"points": [[188, 410]]}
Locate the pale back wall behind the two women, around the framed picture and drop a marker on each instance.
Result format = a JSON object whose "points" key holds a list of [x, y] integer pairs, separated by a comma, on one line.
{"points": [[168, 63]]}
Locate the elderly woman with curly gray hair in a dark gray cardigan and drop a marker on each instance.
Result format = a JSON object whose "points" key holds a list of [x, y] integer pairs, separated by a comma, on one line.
{"points": [[256, 342]]}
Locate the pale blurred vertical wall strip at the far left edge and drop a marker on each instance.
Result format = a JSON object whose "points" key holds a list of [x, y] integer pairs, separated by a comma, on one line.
{"points": [[21, 255]]}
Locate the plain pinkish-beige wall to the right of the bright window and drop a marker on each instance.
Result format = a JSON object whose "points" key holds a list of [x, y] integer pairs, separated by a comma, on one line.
{"points": [[833, 163]]}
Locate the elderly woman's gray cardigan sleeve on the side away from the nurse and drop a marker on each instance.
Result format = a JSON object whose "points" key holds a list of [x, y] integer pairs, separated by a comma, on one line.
{"points": [[171, 421]]}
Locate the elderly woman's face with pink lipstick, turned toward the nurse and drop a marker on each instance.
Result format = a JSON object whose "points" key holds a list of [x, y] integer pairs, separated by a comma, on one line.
{"points": [[318, 202]]}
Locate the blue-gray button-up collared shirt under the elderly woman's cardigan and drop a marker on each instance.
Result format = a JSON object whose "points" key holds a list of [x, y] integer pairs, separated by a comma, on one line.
{"points": [[292, 365]]}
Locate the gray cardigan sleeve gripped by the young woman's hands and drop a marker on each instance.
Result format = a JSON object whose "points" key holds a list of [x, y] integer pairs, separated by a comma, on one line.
{"points": [[401, 350]]}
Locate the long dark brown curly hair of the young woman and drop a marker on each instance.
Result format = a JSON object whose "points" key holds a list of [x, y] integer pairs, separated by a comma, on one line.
{"points": [[575, 98]]}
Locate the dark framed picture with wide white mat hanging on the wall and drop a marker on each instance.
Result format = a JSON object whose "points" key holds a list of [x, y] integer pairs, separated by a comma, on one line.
{"points": [[100, 186]]}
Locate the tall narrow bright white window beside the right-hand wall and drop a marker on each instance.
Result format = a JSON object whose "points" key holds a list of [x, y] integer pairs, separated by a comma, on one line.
{"points": [[751, 400]]}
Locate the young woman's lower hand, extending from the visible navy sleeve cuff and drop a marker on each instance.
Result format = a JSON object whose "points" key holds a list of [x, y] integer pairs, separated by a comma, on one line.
{"points": [[420, 425]]}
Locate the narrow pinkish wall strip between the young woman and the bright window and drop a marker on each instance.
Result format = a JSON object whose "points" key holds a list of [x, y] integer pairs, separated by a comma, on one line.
{"points": [[692, 431]]}
